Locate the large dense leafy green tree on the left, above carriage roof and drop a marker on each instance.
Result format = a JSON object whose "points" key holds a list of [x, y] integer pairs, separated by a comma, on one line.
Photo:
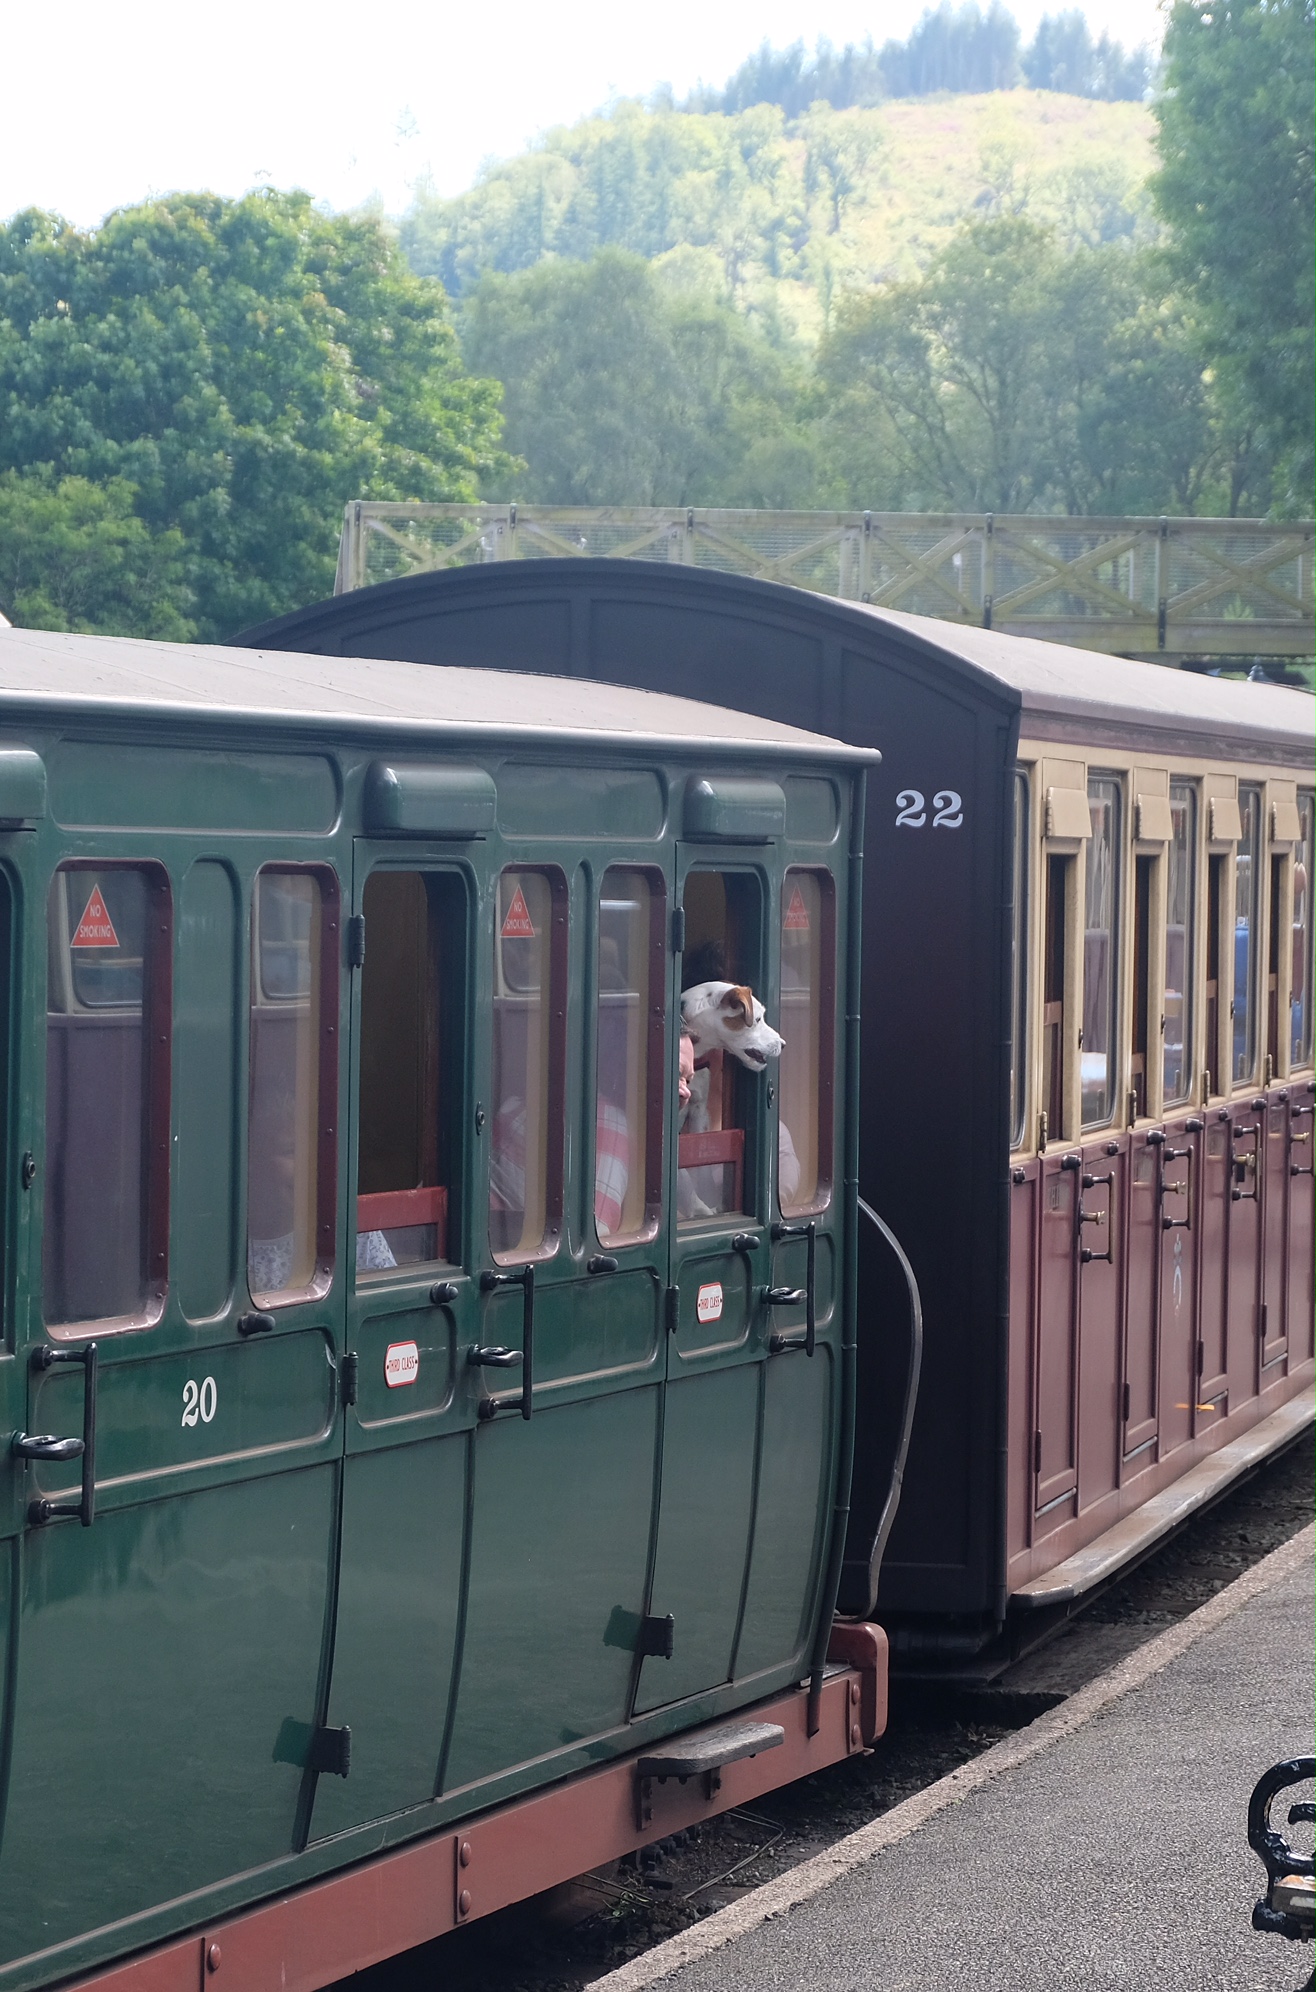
{"points": [[246, 368]]}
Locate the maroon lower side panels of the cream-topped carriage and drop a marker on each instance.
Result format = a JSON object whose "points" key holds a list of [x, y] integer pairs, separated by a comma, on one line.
{"points": [[1126, 1373]]}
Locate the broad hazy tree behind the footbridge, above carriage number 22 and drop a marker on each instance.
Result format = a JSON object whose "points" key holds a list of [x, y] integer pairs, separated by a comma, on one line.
{"points": [[1024, 377]]}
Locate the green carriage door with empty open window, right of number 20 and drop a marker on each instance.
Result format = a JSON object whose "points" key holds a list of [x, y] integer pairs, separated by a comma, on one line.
{"points": [[411, 1316]]}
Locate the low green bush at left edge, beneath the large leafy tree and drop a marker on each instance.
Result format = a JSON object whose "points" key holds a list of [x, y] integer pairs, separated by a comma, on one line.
{"points": [[77, 557]]}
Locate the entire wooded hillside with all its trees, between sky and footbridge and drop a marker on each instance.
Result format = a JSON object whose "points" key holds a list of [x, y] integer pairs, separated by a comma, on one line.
{"points": [[983, 300]]}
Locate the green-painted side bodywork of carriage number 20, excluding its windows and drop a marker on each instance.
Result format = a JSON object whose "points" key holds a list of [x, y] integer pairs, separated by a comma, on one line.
{"points": [[465, 1595]]}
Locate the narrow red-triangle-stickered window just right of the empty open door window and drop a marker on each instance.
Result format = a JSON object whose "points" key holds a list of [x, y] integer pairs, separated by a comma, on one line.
{"points": [[529, 1063]]}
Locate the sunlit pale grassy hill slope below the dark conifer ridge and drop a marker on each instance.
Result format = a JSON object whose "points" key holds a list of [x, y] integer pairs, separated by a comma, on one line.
{"points": [[779, 216]]}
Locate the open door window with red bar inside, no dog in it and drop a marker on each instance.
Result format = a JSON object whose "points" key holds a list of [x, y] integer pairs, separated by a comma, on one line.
{"points": [[411, 1033]]}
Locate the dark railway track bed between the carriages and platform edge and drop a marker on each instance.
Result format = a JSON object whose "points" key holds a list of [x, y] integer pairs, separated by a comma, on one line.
{"points": [[566, 1941]]}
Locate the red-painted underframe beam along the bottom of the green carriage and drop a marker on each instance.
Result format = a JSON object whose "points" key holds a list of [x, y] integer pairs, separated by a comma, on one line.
{"points": [[304, 1941]]}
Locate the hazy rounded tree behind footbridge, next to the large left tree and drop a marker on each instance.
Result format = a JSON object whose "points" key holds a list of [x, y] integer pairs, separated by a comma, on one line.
{"points": [[620, 393]]}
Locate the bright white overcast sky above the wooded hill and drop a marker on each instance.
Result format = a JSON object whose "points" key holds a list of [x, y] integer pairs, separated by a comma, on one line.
{"points": [[105, 105]]}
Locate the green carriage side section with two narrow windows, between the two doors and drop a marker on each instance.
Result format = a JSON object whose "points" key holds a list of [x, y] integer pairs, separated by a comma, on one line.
{"points": [[568, 1371]]}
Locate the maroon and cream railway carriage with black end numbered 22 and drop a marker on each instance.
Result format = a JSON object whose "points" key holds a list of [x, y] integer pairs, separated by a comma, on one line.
{"points": [[1090, 1067]]}
